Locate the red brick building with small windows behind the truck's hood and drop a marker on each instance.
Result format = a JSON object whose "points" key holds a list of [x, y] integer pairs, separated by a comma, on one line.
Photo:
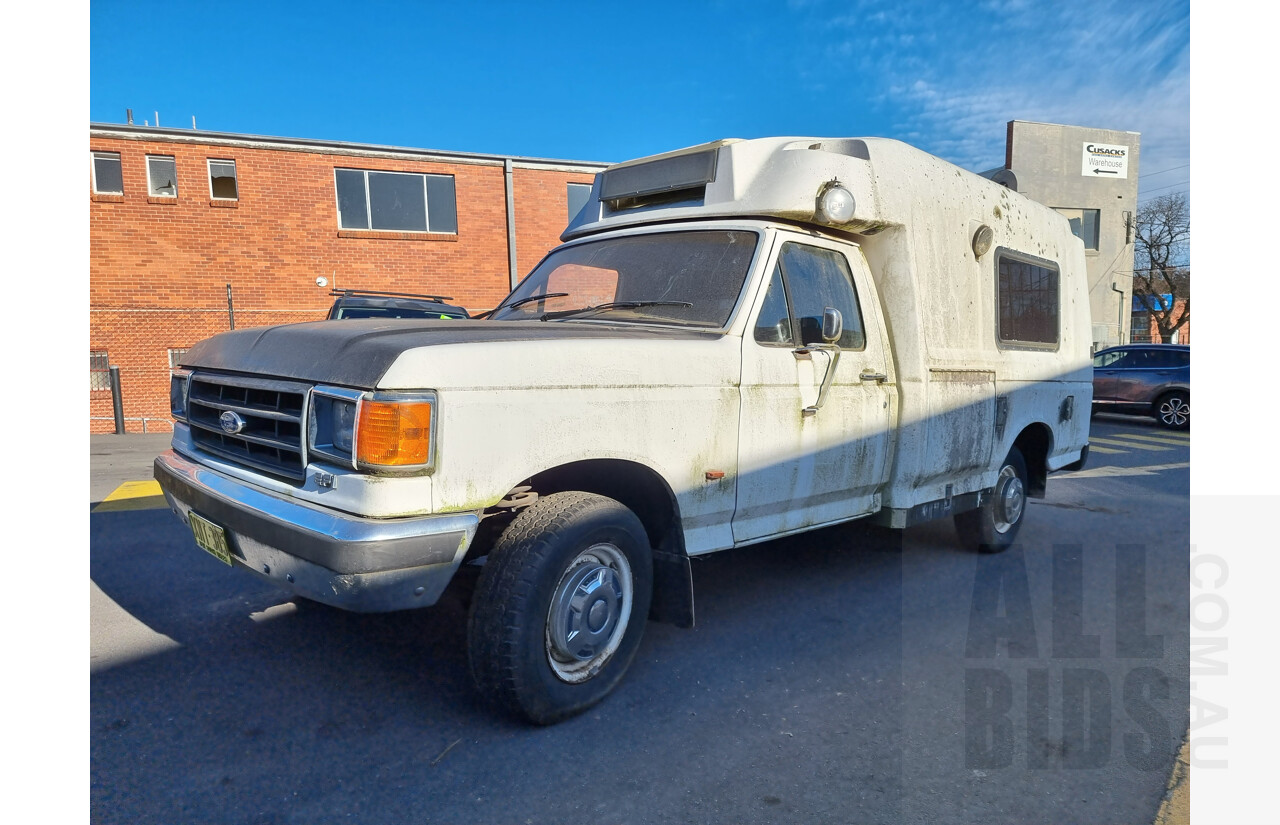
{"points": [[193, 230]]}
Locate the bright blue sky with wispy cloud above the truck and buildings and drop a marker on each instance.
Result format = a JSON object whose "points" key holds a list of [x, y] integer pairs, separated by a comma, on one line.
{"points": [[616, 81]]}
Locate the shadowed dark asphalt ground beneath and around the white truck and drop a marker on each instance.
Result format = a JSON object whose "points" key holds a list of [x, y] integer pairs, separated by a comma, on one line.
{"points": [[833, 679]]}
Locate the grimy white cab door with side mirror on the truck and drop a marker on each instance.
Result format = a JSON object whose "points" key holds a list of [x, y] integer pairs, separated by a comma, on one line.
{"points": [[801, 467]]}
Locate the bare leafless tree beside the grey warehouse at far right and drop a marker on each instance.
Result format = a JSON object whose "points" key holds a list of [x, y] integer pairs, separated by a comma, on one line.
{"points": [[1163, 235]]}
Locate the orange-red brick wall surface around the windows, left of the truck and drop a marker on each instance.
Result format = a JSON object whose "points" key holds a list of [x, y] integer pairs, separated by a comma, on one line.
{"points": [[161, 267]]}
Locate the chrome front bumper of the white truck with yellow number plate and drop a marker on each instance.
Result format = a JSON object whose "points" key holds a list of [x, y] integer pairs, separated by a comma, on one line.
{"points": [[362, 565]]}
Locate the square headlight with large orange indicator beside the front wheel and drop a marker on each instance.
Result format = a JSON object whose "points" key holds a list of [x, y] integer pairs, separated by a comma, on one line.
{"points": [[373, 430]]}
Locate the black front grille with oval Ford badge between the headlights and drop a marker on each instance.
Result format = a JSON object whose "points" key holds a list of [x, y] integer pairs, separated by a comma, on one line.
{"points": [[271, 416]]}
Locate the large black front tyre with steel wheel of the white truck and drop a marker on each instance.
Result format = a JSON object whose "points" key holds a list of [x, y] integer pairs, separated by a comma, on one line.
{"points": [[560, 607]]}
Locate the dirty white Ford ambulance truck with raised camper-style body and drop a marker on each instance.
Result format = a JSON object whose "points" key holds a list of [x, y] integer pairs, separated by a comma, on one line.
{"points": [[737, 342]]}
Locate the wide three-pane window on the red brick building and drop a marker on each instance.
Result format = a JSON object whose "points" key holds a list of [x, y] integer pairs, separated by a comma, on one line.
{"points": [[396, 201]]}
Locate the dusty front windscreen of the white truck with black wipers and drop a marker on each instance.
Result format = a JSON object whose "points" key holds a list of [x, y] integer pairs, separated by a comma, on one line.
{"points": [[674, 278]]}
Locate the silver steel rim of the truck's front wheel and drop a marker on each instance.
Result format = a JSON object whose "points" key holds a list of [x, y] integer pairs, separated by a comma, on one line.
{"points": [[589, 613]]}
